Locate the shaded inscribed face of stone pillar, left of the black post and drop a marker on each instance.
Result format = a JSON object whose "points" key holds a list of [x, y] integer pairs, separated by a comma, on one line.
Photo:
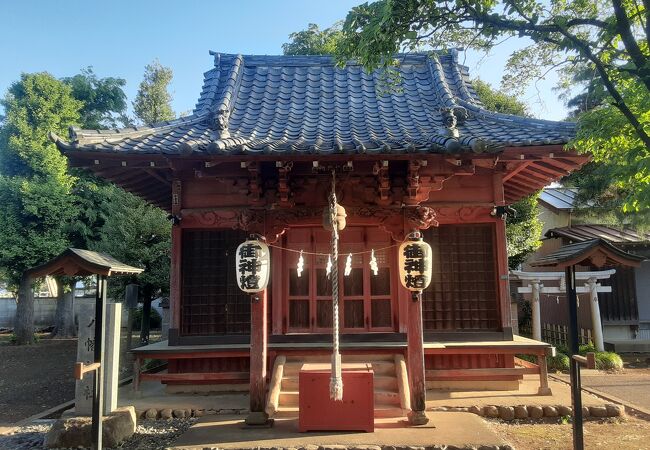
{"points": [[85, 354]]}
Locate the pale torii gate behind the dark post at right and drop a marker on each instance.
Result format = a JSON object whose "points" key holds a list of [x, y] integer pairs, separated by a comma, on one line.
{"points": [[591, 287]]}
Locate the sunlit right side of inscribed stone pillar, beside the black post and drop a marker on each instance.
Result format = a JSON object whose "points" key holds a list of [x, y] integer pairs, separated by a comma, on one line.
{"points": [[112, 356]]}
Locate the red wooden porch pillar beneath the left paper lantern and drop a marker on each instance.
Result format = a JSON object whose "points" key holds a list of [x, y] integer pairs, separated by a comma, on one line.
{"points": [[257, 414]]}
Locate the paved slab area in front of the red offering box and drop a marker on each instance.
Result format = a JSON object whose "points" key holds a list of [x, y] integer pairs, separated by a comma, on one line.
{"points": [[460, 430]]}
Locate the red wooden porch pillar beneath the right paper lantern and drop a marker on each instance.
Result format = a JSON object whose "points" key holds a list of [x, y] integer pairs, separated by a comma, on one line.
{"points": [[415, 355]]}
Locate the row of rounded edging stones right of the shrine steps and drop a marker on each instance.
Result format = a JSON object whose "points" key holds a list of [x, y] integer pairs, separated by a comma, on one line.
{"points": [[535, 411]]}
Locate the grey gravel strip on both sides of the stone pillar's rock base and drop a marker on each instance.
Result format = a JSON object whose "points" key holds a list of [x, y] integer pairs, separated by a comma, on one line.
{"points": [[149, 435]]}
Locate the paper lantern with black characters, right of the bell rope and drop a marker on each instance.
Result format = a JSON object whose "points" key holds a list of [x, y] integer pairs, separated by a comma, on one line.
{"points": [[415, 264]]}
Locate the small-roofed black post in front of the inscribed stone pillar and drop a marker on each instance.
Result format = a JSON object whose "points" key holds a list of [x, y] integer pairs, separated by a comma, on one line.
{"points": [[83, 263]]}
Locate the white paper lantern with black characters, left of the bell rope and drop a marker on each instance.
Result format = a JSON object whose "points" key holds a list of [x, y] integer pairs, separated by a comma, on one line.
{"points": [[253, 266]]}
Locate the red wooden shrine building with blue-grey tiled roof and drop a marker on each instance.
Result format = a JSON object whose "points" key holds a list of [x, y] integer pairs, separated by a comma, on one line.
{"points": [[256, 157]]}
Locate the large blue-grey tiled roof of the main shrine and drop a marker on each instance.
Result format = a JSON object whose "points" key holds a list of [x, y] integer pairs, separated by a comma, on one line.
{"points": [[305, 104]]}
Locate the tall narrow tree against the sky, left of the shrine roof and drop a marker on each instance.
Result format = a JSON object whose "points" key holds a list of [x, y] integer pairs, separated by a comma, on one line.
{"points": [[153, 101]]}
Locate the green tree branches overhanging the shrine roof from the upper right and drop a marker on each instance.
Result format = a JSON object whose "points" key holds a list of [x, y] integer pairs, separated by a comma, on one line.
{"points": [[608, 37]]}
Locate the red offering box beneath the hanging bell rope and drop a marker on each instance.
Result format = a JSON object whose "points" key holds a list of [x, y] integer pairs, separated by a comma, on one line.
{"points": [[317, 412]]}
